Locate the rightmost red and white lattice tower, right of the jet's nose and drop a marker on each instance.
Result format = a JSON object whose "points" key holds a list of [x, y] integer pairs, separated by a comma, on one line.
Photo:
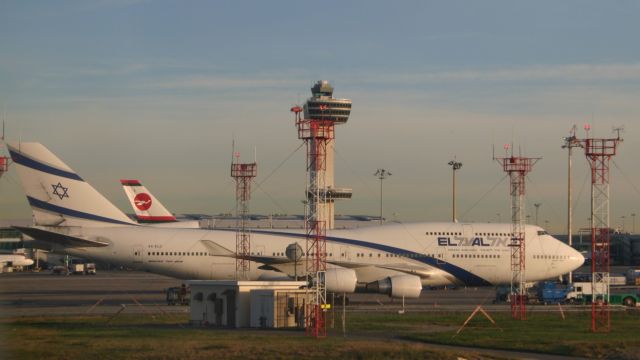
{"points": [[599, 153]]}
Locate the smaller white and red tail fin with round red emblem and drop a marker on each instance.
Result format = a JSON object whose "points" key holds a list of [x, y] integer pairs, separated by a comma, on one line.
{"points": [[148, 209]]}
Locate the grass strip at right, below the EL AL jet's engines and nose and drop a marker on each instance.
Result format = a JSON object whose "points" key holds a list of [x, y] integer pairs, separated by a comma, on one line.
{"points": [[541, 332]]}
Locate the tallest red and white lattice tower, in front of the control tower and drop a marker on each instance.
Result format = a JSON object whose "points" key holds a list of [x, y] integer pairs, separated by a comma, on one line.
{"points": [[316, 134]]}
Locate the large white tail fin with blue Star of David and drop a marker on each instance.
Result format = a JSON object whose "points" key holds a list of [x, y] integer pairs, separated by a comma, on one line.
{"points": [[57, 195]]}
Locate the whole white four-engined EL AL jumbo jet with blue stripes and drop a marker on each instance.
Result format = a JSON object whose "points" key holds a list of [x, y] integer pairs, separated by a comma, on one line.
{"points": [[398, 259]]}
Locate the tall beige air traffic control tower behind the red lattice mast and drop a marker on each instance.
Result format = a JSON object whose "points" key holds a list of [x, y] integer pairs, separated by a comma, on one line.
{"points": [[322, 106]]}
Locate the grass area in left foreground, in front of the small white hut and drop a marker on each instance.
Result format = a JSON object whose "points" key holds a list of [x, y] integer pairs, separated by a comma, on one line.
{"points": [[167, 337]]}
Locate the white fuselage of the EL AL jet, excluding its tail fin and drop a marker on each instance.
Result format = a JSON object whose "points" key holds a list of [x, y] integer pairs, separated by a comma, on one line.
{"points": [[439, 253]]}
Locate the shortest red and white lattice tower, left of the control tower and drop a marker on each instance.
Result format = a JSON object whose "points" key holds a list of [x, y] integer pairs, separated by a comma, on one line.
{"points": [[243, 174]]}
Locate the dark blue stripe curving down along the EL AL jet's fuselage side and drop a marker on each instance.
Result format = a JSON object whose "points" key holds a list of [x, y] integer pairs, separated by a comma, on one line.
{"points": [[461, 274]]}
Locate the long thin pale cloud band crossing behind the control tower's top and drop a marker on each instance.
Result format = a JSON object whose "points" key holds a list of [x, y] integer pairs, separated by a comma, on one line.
{"points": [[199, 79]]}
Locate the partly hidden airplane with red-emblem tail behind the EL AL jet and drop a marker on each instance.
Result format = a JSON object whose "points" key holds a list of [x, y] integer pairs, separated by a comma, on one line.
{"points": [[150, 211]]}
